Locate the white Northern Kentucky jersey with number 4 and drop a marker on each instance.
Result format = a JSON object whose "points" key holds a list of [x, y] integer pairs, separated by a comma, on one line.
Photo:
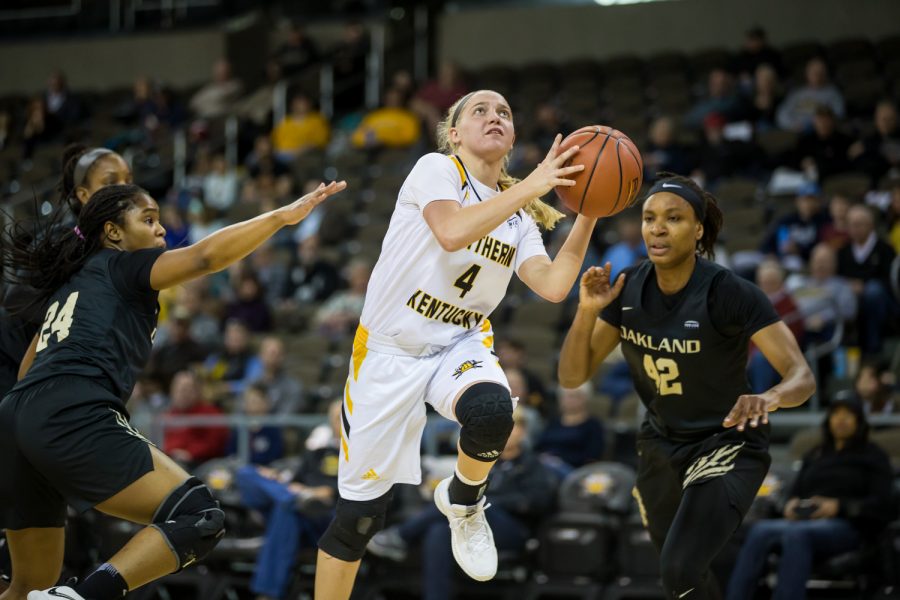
{"points": [[422, 298]]}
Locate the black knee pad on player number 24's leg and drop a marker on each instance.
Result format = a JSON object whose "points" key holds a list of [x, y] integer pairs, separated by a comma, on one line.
{"points": [[191, 522]]}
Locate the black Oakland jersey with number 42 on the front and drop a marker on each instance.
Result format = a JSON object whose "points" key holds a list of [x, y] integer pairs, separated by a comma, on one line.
{"points": [[687, 368]]}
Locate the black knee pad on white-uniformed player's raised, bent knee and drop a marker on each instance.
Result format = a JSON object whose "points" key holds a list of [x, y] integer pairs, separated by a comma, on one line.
{"points": [[485, 413]]}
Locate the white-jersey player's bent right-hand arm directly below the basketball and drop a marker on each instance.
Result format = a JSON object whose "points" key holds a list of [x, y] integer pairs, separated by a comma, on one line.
{"points": [[552, 280]]}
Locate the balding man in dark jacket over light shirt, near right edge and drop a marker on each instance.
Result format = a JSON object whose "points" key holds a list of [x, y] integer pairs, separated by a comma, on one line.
{"points": [[866, 262]]}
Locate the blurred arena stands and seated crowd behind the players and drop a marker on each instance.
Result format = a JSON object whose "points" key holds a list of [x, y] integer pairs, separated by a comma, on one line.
{"points": [[786, 111]]}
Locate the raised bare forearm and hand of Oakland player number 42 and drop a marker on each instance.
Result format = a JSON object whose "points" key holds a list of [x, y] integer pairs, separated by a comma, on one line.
{"points": [[590, 339]]}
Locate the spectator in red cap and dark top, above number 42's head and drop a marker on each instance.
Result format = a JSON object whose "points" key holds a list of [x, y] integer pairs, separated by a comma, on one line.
{"points": [[720, 156]]}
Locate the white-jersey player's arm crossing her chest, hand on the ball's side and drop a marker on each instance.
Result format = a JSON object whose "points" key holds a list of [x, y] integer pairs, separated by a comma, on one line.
{"points": [[455, 226]]}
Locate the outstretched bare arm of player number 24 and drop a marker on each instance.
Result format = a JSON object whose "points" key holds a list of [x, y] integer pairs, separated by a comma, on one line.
{"points": [[231, 244]]}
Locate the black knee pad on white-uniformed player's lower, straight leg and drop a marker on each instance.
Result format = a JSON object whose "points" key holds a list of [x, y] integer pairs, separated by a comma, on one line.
{"points": [[354, 524]]}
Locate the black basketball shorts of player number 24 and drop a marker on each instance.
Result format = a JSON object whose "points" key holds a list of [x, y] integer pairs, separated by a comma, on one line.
{"points": [[65, 440]]}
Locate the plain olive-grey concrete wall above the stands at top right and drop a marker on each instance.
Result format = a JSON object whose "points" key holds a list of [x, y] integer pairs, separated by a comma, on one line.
{"points": [[480, 37]]}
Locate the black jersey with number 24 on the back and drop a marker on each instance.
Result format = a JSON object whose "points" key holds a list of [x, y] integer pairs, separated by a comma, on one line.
{"points": [[100, 324]]}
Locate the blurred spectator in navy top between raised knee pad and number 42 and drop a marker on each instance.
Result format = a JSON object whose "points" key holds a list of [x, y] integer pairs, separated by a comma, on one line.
{"points": [[575, 436]]}
